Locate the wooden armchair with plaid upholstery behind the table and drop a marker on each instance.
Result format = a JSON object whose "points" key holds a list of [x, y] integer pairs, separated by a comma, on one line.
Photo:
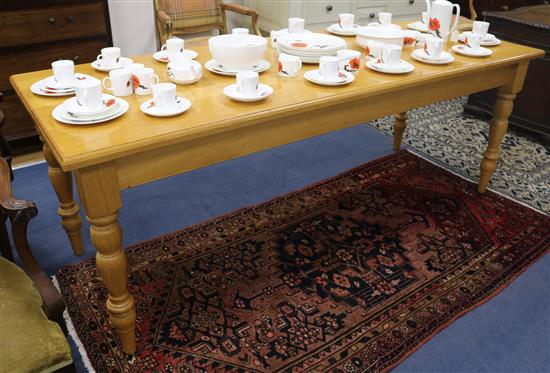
{"points": [[192, 16]]}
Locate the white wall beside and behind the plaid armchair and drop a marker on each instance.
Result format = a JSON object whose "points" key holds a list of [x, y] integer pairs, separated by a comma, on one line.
{"points": [[134, 29]]}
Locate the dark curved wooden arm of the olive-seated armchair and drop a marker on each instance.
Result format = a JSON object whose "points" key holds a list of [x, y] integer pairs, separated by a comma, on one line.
{"points": [[20, 212]]}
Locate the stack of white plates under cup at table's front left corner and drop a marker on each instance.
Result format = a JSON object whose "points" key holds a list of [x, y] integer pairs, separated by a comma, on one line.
{"points": [[72, 112]]}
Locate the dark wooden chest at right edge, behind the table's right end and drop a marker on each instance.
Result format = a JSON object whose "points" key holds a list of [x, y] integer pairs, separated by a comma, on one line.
{"points": [[529, 26]]}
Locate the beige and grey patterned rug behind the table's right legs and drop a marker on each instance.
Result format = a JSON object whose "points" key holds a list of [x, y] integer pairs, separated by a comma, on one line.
{"points": [[443, 133]]}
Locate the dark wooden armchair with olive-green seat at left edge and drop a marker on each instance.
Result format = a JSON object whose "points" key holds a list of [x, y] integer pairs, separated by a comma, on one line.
{"points": [[32, 334]]}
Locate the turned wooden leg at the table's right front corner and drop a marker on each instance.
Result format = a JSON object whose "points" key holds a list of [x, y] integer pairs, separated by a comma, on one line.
{"points": [[499, 125]]}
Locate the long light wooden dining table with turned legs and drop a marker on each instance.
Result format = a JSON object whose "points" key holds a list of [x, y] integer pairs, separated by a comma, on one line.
{"points": [[136, 149]]}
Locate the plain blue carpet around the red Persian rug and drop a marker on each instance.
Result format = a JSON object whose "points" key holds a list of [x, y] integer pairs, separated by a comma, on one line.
{"points": [[510, 333]]}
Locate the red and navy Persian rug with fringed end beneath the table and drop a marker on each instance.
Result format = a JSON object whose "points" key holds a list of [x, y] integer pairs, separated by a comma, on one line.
{"points": [[349, 275]]}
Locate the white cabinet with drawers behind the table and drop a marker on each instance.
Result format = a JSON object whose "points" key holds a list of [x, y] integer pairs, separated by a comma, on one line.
{"points": [[319, 14]]}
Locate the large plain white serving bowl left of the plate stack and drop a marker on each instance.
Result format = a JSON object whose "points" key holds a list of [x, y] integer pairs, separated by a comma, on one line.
{"points": [[237, 51]]}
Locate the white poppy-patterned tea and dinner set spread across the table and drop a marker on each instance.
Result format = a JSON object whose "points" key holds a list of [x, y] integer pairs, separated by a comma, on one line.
{"points": [[240, 54]]}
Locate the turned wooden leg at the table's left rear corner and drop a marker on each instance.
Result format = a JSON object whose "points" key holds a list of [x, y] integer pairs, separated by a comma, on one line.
{"points": [[62, 183]]}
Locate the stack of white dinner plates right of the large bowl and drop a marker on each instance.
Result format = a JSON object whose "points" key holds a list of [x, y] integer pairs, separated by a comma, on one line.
{"points": [[310, 47]]}
